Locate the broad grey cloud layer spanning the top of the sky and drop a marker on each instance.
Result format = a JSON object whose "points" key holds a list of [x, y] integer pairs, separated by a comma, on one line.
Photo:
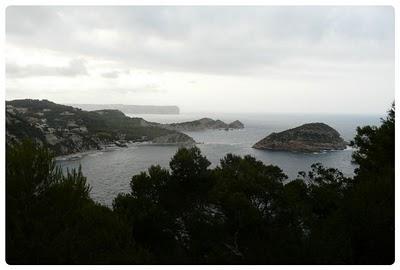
{"points": [[208, 39]]}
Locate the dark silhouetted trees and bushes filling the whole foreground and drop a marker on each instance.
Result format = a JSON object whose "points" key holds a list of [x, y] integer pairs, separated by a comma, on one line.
{"points": [[238, 213]]}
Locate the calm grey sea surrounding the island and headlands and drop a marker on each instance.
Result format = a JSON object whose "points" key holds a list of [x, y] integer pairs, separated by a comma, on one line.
{"points": [[109, 172]]}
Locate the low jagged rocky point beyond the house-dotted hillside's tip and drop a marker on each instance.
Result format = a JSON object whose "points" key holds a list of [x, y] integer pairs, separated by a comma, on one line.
{"points": [[203, 124]]}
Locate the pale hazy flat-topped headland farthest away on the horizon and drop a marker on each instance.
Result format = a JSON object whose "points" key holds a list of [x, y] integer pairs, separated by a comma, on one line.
{"points": [[130, 109]]}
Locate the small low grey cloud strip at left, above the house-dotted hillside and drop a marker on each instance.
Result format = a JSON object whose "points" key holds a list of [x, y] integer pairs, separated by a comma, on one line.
{"points": [[75, 67]]}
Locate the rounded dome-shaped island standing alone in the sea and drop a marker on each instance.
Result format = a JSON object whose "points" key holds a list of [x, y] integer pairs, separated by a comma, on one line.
{"points": [[313, 137]]}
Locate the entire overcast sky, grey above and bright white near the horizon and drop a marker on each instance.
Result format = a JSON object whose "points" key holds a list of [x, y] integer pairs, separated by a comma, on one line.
{"points": [[218, 59]]}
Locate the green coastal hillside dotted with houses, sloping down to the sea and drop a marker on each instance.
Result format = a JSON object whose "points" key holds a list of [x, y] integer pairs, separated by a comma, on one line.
{"points": [[66, 129]]}
